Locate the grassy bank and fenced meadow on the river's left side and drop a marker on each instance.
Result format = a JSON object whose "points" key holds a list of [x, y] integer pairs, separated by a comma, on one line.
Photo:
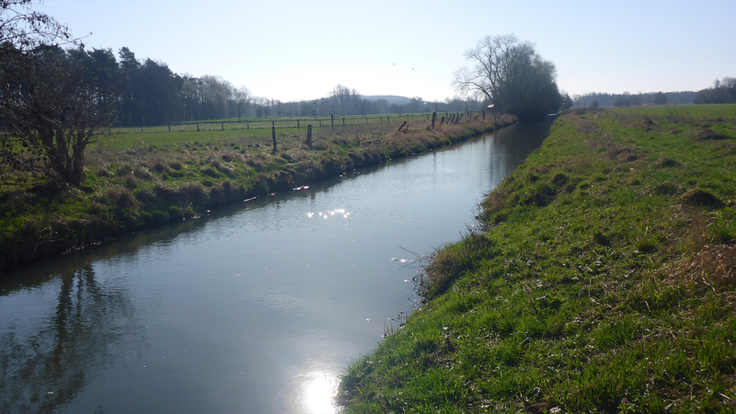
{"points": [[136, 180]]}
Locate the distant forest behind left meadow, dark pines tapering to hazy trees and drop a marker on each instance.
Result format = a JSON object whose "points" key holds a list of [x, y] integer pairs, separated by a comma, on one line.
{"points": [[148, 93]]}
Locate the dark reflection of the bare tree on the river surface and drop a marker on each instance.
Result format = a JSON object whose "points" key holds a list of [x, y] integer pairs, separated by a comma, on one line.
{"points": [[47, 368]]}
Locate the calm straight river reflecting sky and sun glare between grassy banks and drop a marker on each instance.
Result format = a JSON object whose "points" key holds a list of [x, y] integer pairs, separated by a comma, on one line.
{"points": [[256, 308]]}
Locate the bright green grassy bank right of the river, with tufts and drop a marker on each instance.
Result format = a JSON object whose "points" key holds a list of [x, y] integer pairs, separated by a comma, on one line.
{"points": [[602, 282]]}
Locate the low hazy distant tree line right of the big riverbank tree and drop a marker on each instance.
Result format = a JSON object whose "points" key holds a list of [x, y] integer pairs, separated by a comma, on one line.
{"points": [[629, 99]]}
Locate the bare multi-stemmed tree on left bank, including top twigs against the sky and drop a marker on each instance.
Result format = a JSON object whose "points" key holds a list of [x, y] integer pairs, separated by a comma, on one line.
{"points": [[48, 100]]}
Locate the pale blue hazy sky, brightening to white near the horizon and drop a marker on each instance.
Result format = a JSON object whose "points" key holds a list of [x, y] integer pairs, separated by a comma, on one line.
{"points": [[293, 50]]}
